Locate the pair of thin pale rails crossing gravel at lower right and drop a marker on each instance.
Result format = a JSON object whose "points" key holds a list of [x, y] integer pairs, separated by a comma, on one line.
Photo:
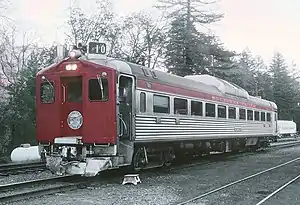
{"points": [[219, 189]]}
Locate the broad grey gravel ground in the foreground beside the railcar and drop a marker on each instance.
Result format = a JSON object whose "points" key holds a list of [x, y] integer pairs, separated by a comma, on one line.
{"points": [[178, 185]]}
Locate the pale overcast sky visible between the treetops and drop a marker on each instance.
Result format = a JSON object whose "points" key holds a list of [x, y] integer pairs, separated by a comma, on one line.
{"points": [[264, 26]]}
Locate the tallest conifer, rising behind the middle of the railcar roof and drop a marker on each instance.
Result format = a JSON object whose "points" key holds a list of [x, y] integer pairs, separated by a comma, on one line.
{"points": [[189, 51]]}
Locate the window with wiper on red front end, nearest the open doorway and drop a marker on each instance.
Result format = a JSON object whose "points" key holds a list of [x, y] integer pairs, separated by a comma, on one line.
{"points": [[95, 91]]}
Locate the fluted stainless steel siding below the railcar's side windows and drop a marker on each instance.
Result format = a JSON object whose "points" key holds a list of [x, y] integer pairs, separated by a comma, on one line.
{"points": [[147, 129]]}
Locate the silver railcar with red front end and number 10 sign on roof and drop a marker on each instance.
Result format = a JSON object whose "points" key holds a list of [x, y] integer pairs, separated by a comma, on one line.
{"points": [[95, 113]]}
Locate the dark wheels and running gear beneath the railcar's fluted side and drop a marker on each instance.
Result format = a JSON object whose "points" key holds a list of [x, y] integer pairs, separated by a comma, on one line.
{"points": [[148, 156]]}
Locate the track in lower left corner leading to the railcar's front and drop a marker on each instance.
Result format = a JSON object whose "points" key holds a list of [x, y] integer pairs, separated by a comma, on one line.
{"points": [[34, 188]]}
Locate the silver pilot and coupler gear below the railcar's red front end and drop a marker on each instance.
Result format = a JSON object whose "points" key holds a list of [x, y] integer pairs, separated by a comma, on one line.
{"points": [[86, 160]]}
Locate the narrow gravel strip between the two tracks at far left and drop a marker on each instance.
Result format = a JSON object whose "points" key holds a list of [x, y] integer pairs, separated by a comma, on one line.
{"points": [[25, 177]]}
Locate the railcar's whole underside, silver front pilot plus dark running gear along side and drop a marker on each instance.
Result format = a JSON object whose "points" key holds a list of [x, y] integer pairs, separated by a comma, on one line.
{"points": [[89, 160]]}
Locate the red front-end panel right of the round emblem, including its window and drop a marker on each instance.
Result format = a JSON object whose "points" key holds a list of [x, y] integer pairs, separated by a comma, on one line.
{"points": [[99, 106]]}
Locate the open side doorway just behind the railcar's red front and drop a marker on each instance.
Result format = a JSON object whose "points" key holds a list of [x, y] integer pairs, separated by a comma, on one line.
{"points": [[126, 107]]}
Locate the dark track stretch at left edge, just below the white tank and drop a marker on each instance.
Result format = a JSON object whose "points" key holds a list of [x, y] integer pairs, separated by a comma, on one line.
{"points": [[16, 168]]}
